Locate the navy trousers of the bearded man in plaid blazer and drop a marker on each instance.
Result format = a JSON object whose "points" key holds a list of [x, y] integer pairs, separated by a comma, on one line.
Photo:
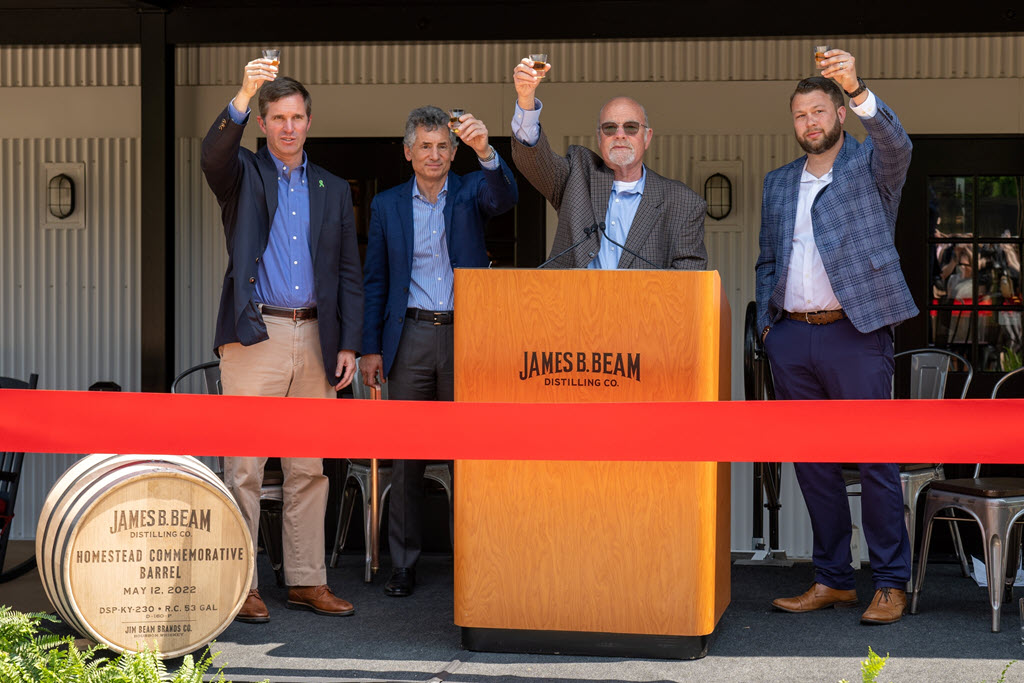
{"points": [[837, 362]]}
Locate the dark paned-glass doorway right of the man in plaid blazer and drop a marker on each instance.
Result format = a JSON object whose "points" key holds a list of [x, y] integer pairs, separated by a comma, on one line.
{"points": [[960, 234]]}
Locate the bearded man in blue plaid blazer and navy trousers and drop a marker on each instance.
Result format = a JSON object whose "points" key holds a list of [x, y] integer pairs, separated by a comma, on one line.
{"points": [[830, 291]]}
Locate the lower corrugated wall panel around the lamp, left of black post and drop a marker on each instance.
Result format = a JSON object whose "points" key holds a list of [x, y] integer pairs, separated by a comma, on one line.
{"points": [[69, 298]]}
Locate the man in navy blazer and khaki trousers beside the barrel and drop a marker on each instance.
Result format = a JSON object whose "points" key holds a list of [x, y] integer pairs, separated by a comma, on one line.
{"points": [[291, 309]]}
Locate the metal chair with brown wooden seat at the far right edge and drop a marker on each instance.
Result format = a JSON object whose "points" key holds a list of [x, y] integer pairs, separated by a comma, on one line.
{"points": [[996, 504]]}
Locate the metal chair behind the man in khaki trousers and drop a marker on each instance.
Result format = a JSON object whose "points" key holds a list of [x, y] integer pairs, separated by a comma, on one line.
{"points": [[272, 491]]}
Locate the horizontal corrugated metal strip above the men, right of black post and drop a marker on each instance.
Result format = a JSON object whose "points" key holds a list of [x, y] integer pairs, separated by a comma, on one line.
{"points": [[596, 62]]}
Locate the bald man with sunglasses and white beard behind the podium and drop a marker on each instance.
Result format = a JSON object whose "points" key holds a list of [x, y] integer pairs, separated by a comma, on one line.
{"points": [[609, 198]]}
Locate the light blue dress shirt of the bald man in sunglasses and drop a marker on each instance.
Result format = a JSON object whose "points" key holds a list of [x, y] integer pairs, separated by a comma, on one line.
{"points": [[623, 203]]}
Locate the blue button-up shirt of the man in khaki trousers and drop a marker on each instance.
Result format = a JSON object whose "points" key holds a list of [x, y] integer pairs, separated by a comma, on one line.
{"points": [[285, 275]]}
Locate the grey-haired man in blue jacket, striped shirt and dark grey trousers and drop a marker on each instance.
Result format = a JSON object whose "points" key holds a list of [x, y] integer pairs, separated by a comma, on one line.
{"points": [[419, 232]]}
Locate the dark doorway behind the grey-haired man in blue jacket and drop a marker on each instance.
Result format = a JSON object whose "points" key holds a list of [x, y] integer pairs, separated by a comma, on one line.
{"points": [[516, 239]]}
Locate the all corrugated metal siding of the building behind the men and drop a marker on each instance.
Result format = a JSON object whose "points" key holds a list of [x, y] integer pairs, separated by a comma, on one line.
{"points": [[69, 302]]}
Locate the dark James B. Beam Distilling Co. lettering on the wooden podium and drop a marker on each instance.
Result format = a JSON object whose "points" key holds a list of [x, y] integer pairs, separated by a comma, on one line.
{"points": [[596, 370]]}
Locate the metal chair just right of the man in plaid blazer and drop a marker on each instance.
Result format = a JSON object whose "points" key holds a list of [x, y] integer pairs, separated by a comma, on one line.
{"points": [[929, 372]]}
